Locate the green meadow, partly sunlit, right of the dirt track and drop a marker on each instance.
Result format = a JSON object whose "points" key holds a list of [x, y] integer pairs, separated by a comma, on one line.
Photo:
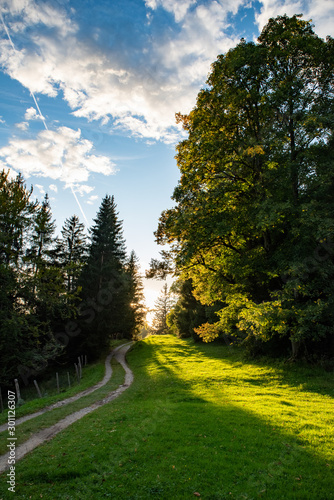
{"points": [[196, 420]]}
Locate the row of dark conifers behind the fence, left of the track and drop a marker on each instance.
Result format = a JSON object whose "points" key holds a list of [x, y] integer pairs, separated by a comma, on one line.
{"points": [[64, 295]]}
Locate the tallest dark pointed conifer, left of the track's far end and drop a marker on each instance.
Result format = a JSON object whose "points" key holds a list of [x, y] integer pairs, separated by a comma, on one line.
{"points": [[103, 280]]}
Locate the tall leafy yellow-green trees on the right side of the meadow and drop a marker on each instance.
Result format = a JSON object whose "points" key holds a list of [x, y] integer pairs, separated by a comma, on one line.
{"points": [[251, 235]]}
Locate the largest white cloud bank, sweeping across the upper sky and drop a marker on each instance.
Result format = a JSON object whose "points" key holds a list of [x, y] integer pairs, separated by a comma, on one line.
{"points": [[141, 91]]}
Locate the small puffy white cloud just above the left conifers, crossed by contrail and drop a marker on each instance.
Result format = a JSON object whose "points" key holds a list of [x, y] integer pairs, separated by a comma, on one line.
{"points": [[60, 154]]}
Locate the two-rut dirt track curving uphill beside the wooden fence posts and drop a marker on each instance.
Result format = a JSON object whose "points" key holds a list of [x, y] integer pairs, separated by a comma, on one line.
{"points": [[47, 434]]}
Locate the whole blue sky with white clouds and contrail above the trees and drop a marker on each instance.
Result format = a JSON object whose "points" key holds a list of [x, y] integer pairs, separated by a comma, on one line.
{"points": [[89, 90]]}
